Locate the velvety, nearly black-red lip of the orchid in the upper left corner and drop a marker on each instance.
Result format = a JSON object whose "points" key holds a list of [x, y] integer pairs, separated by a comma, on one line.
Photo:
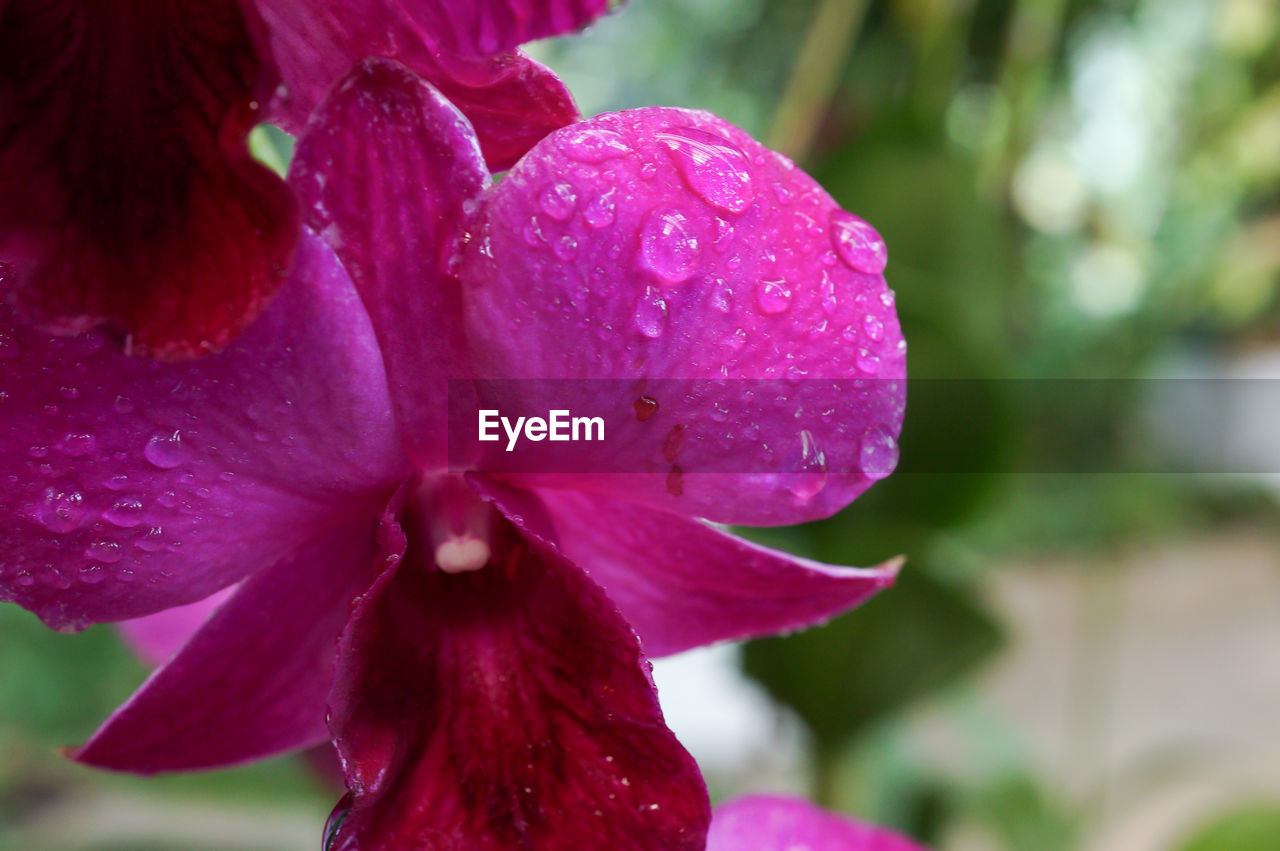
{"points": [[129, 189]]}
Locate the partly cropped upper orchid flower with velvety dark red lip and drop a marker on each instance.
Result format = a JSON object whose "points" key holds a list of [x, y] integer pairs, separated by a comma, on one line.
{"points": [[130, 194]]}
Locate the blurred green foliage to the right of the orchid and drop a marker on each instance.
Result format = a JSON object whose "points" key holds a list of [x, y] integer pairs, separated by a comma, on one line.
{"points": [[1069, 190]]}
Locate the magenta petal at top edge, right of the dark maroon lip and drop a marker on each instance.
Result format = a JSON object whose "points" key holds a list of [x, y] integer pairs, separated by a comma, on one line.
{"points": [[511, 100]]}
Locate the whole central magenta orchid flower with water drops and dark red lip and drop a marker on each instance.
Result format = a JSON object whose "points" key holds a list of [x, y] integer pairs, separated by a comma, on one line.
{"points": [[490, 689]]}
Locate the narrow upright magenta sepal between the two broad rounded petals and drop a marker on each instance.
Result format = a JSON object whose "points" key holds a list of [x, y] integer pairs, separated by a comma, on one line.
{"points": [[392, 200]]}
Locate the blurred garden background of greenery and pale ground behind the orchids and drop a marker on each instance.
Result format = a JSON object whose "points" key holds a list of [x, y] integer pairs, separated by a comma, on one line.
{"points": [[1082, 204]]}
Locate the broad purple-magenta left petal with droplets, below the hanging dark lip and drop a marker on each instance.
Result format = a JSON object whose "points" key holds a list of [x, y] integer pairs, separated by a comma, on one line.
{"points": [[134, 486]]}
